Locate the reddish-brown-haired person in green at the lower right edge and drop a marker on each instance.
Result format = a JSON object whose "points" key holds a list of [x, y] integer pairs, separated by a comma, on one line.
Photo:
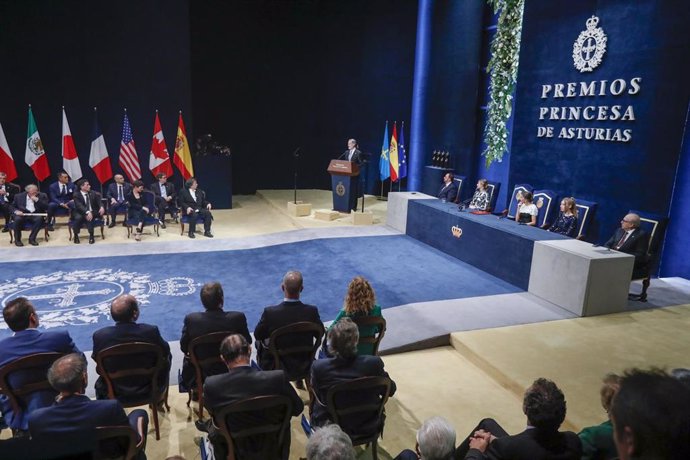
{"points": [[597, 441]]}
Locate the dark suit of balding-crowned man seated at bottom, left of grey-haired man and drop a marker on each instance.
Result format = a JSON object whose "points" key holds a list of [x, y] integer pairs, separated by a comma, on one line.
{"points": [[246, 382]]}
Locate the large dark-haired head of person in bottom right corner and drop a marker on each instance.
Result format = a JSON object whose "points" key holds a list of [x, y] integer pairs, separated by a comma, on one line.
{"points": [[651, 417]]}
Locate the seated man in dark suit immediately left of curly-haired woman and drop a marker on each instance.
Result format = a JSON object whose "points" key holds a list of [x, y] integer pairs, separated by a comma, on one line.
{"points": [[290, 311]]}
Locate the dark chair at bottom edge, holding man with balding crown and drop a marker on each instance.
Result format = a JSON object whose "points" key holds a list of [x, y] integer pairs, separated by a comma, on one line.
{"points": [[256, 428]]}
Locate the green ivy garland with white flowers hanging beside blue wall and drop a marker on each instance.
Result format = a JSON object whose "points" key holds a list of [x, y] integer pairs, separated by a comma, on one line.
{"points": [[503, 66]]}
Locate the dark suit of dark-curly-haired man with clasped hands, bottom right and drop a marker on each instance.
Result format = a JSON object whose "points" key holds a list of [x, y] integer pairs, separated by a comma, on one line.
{"points": [[531, 444]]}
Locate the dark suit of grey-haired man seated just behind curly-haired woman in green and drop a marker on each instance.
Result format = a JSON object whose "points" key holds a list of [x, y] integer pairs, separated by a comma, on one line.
{"points": [[328, 372]]}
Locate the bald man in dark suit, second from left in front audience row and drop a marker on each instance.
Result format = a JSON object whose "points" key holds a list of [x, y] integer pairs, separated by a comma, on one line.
{"points": [[125, 311]]}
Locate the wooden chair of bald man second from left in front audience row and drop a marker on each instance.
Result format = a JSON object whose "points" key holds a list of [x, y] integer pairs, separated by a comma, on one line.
{"points": [[135, 349]]}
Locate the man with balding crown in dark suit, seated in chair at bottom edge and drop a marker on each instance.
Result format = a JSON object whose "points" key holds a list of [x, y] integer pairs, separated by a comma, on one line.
{"points": [[243, 381]]}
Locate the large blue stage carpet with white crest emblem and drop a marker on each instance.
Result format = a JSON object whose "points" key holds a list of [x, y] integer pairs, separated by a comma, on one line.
{"points": [[76, 293]]}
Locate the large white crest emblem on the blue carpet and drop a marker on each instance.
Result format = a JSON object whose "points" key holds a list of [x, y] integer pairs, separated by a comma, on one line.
{"points": [[83, 296]]}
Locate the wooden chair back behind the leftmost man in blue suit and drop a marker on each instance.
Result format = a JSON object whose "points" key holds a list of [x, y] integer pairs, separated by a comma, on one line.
{"points": [[24, 376]]}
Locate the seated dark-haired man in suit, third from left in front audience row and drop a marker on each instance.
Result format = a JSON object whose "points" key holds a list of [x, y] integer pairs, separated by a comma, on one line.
{"points": [[214, 319]]}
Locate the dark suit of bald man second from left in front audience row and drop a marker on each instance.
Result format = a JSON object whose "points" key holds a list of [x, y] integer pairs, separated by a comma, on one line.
{"points": [[126, 332]]}
